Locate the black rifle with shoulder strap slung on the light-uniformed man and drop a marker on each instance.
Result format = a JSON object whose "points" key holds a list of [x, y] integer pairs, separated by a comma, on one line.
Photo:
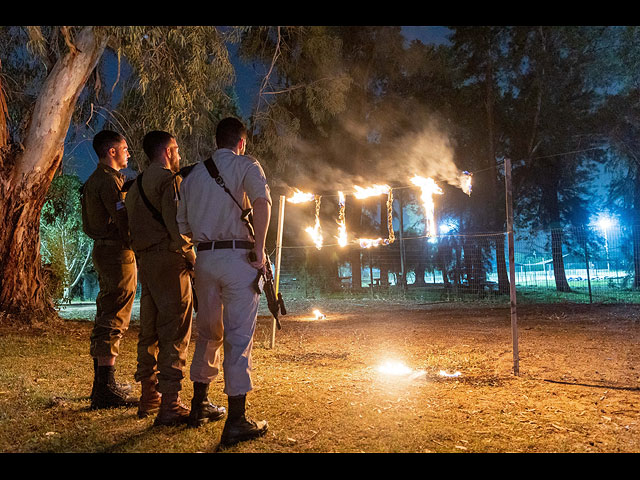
{"points": [[264, 280]]}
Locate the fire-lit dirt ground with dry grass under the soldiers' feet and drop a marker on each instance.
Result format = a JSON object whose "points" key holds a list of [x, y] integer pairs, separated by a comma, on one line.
{"points": [[320, 388]]}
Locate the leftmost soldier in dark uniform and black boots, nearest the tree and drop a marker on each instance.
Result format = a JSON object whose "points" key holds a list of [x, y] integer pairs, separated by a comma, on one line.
{"points": [[104, 219]]}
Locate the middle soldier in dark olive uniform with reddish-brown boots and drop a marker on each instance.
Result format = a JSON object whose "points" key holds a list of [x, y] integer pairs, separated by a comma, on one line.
{"points": [[166, 260]]}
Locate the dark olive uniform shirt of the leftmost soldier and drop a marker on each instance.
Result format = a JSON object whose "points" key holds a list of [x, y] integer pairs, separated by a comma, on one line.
{"points": [[103, 211]]}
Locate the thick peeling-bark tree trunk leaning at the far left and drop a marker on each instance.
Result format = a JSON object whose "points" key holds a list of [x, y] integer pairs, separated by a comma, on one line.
{"points": [[26, 175]]}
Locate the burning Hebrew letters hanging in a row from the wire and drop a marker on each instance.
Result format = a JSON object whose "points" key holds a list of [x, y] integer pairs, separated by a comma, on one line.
{"points": [[428, 188]]}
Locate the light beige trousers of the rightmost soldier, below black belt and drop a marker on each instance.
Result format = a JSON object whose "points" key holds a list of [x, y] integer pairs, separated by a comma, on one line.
{"points": [[227, 313]]}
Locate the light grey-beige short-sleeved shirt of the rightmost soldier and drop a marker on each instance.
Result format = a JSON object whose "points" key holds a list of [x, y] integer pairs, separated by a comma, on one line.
{"points": [[206, 211]]}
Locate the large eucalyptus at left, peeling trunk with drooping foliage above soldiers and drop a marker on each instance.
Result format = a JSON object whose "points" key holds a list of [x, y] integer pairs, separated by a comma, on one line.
{"points": [[61, 62]]}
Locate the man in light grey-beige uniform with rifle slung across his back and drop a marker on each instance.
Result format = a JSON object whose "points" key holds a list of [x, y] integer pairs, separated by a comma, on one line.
{"points": [[227, 298]]}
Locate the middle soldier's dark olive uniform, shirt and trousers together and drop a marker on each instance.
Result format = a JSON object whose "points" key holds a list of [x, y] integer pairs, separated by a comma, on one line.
{"points": [[166, 298]]}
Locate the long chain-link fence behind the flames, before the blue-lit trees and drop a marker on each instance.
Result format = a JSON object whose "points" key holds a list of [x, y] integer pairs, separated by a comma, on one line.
{"points": [[585, 265]]}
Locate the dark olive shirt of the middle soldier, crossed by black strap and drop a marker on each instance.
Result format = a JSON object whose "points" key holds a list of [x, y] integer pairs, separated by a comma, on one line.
{"points": [[161, 188]]}
